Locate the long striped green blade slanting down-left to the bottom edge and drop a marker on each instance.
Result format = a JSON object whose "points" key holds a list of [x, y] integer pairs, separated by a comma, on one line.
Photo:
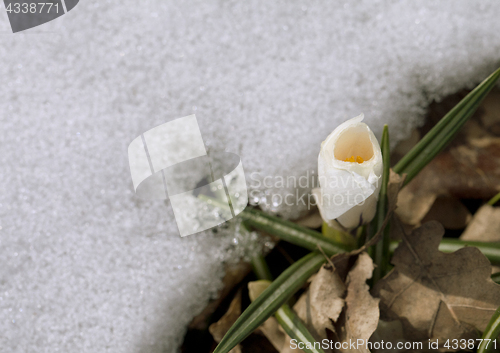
{"points": [[270, 300]]}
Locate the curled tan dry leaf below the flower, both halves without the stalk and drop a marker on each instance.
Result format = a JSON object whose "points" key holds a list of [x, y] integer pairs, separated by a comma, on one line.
{"points": [[338, 301]]}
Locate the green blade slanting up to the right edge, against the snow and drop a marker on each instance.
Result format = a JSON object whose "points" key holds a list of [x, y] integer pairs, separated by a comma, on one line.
{"points": [[444, 131]]}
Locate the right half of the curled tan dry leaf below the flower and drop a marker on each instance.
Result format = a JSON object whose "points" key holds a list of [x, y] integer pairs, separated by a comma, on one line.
{"points": [[361, 315]]}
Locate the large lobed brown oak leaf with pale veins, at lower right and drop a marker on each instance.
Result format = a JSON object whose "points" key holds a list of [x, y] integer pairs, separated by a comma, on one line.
{"points": [[437, 295]]}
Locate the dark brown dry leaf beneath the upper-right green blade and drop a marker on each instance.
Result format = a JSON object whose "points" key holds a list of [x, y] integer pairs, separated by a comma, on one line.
{"points": [[467, 169]]}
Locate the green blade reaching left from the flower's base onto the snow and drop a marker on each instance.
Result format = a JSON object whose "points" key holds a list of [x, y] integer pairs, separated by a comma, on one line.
{"points": [[292, 232]]}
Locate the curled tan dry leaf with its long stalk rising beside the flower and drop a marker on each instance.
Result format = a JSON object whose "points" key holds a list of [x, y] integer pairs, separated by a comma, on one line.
{"points": [[322, 303]]}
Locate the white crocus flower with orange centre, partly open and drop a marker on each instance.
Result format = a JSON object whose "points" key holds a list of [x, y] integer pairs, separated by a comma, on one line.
{"points": [[349, 168]]}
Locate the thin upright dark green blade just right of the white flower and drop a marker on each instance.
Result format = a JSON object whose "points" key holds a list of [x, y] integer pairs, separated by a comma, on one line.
{"points": [[381, 252]]}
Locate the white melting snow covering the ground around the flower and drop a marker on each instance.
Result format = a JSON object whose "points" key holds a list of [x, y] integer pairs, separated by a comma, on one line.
{"points": [[85, 265]]}
